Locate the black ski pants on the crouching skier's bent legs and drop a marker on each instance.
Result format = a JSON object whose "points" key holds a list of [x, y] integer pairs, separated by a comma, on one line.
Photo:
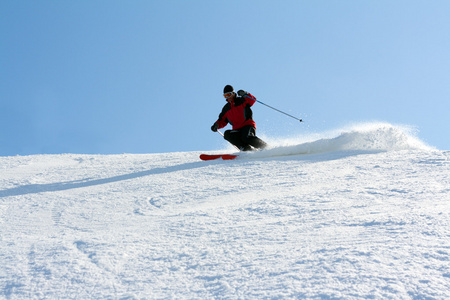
{"points": [[245, 138]]}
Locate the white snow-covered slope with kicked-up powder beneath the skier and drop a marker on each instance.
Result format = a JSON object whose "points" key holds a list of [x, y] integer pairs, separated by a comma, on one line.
{"points": [[361, 214]]}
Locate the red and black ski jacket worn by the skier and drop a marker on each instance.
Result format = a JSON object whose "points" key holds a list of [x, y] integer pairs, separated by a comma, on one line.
{"points": [[238, 113]]}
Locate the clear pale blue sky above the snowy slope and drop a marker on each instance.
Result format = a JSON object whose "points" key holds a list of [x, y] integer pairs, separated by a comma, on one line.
{"points": [[147, 76]]}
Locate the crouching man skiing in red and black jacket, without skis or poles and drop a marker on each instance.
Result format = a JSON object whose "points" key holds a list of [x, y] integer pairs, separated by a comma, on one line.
{"points": [[238, 113]]}
